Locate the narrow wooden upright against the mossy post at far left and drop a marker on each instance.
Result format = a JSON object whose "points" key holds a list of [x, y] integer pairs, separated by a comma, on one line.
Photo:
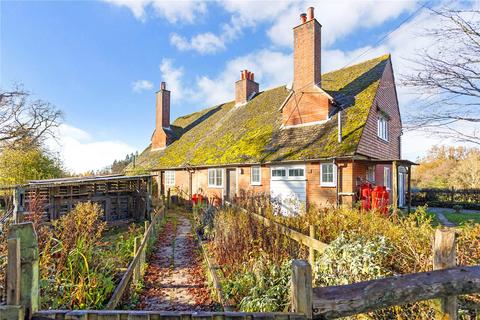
{"points": [[13, 271]]}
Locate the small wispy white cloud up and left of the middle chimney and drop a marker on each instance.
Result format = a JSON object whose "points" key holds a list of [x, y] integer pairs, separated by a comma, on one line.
{"points": [[203, 43]]}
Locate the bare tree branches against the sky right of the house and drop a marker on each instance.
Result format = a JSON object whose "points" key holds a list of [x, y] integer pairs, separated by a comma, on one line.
{"points": [[450, 71]]}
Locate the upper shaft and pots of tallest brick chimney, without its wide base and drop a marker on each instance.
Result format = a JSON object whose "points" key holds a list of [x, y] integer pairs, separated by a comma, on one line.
{"points": [[306, 51]]}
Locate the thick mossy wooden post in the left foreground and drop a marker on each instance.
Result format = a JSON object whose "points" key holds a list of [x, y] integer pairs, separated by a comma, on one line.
{"points": [[29, 273]]}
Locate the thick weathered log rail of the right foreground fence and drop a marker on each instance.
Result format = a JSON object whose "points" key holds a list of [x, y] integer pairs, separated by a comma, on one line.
{"points": [[347, 300]]}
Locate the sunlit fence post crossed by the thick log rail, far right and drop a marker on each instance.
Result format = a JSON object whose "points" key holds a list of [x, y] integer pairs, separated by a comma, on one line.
{"points": [[444, 256]]}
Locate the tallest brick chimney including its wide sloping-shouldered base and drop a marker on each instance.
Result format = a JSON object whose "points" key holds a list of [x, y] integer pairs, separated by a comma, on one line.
{"points": [[308, 103]]}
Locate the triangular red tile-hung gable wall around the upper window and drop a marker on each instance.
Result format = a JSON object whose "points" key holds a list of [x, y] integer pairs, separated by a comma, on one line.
{"points": [[386, 100]]}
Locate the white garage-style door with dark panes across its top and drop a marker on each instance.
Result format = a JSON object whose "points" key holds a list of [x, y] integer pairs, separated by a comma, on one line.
{"points": [[288, 189]]}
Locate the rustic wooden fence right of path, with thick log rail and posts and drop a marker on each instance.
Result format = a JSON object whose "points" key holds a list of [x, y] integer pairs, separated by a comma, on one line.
{"points": [[445, 283]]}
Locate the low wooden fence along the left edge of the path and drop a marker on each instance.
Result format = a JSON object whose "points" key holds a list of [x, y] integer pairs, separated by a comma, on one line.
{"points": [[136, 270]]}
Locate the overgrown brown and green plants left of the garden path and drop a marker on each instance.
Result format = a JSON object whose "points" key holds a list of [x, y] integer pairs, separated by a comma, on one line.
{"points": [[79, 259]]}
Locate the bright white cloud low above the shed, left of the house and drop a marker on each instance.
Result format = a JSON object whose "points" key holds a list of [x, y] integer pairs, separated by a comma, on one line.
{"points": [[81, 152]]}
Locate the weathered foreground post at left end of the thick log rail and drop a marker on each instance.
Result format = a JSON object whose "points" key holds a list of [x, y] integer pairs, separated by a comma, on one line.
{"points": [[301, 290]]}
